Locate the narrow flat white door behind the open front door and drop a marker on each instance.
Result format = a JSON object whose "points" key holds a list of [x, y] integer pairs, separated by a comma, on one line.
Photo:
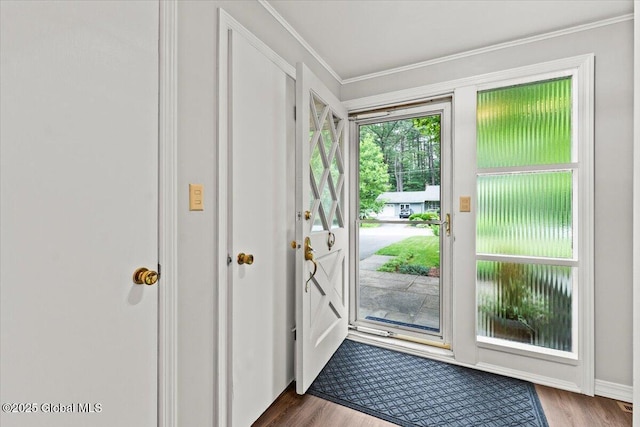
{"points": [[260, 219]]}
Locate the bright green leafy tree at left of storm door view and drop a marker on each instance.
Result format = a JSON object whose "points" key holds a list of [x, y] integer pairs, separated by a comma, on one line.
{"points": [[374, 178]]}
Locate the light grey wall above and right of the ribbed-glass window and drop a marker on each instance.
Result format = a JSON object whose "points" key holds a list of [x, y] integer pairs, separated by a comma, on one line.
{"points": [[613, 49]]}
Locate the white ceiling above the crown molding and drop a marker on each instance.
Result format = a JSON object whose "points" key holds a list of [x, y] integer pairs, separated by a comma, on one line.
{"points": [[360, 37]]}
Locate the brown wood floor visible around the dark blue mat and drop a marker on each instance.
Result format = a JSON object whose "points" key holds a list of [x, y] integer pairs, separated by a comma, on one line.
{"points": [[562, 409]]}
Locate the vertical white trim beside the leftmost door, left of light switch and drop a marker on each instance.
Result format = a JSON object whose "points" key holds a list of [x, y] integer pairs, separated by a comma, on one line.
{"points": [[168, 214]]}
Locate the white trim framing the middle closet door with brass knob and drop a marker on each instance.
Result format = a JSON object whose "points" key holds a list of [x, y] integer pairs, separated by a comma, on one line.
{"points": [[222, 362]]}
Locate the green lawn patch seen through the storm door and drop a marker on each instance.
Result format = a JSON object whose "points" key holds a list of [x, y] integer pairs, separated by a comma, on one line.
{"points": [[423, 251]]}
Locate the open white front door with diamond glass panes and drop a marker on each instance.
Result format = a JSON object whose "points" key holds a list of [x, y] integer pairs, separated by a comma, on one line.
{"points": [[321, 231]]}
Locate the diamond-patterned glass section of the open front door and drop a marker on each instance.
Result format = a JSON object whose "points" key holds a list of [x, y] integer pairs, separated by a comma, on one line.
{"points": [[326, 165]]}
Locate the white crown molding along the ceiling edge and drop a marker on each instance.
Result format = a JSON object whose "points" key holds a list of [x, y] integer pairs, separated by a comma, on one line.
{"points": [[473, 52]]}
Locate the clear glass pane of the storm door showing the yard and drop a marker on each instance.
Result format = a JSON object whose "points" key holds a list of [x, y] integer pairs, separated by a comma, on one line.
{"points": [[402, 204]]}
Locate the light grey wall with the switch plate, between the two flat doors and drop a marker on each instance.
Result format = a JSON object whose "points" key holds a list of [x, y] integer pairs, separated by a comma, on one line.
{"points": [[197, 145]]}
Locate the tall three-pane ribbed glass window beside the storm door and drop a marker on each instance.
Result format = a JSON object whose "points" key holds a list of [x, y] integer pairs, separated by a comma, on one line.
{"points": [[526, 247]]}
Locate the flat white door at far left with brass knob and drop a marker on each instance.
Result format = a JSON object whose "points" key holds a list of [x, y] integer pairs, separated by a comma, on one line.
{"points": [[79, 208]]}
